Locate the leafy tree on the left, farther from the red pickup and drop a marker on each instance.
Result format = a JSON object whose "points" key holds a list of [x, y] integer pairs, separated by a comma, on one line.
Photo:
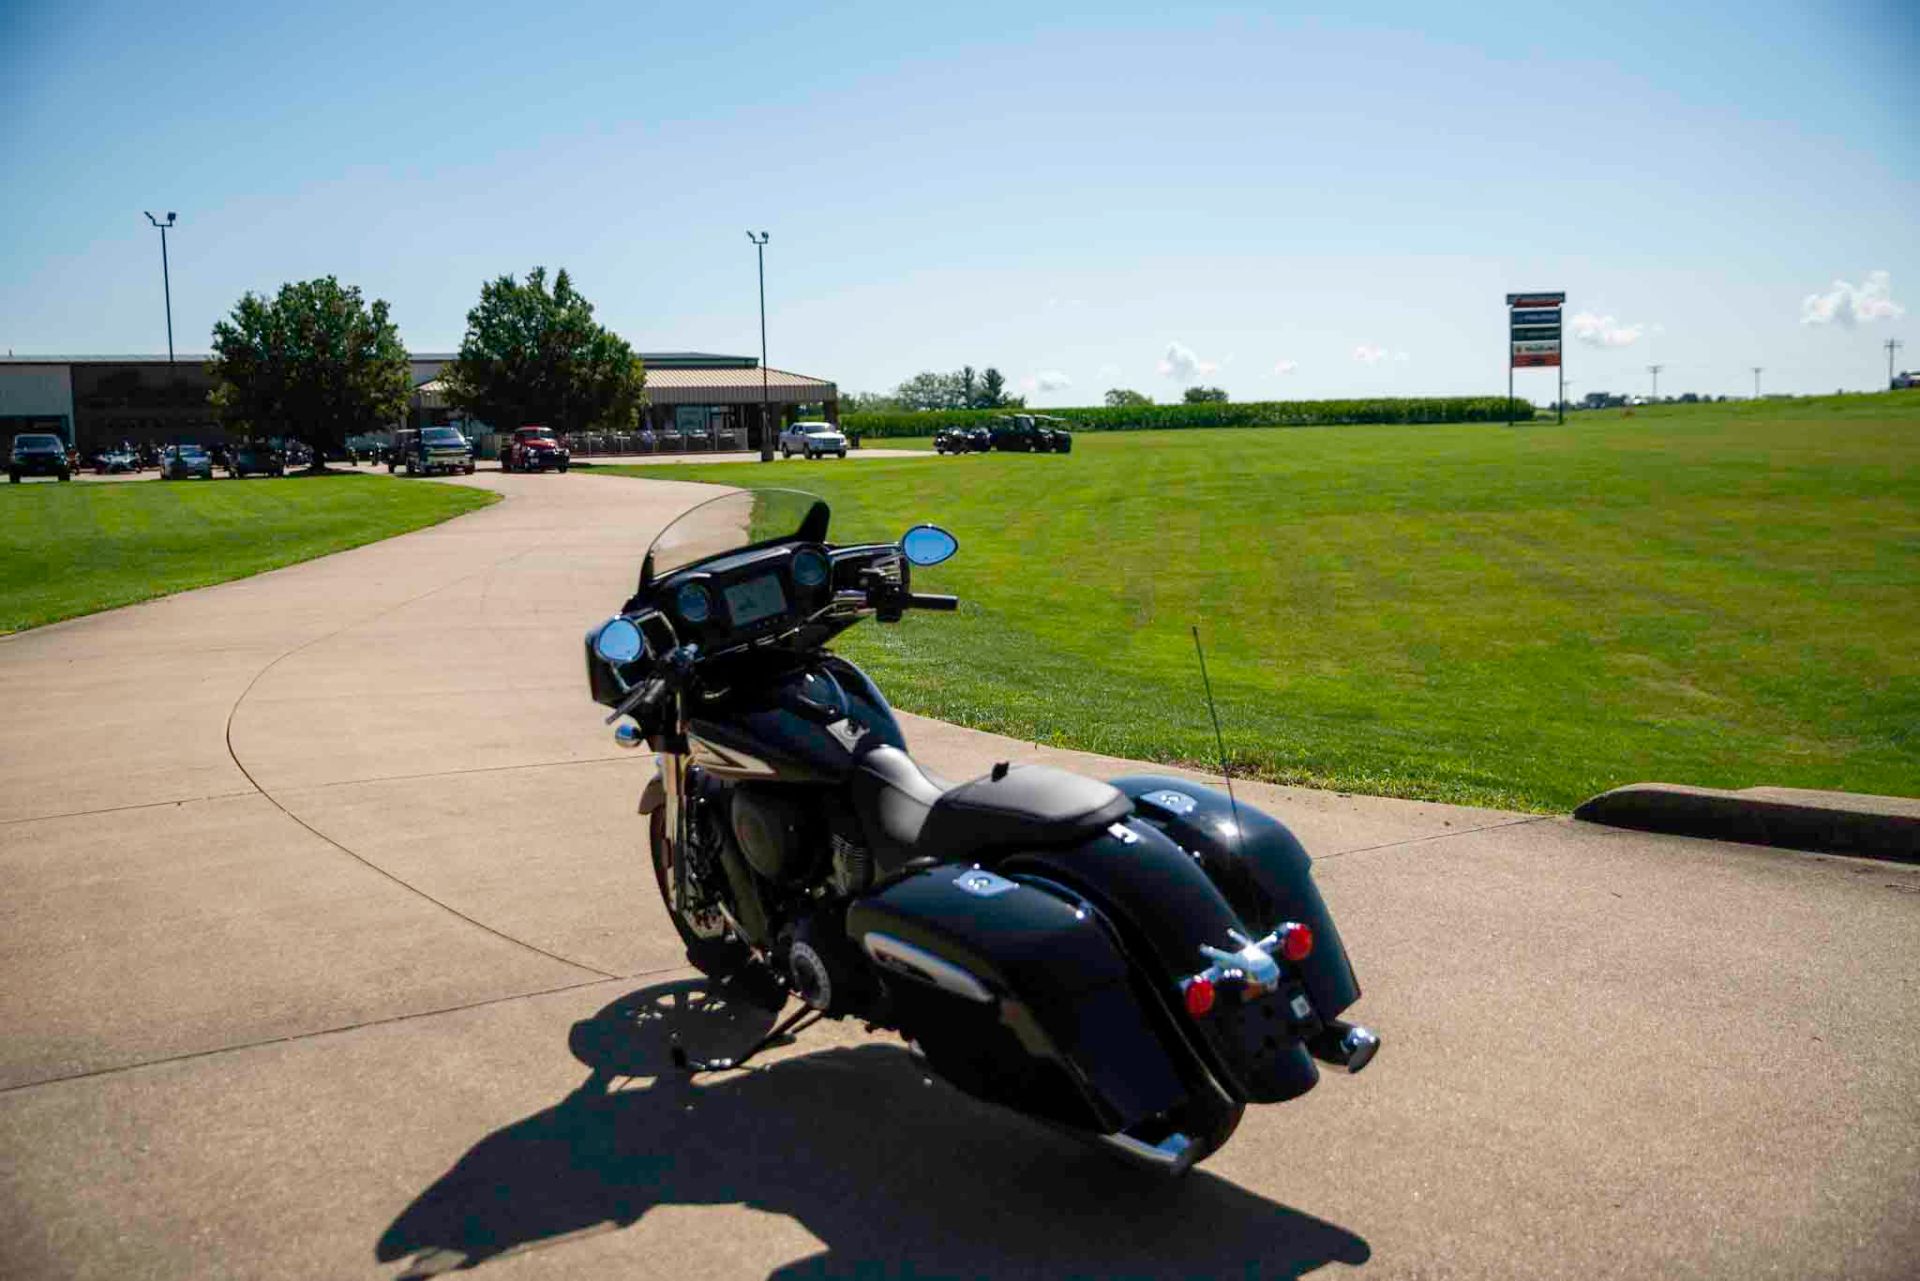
{"points": [[314, 362]]}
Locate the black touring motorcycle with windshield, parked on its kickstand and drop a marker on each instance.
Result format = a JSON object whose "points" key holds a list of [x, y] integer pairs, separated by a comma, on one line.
{"points": [[1132, 961]]}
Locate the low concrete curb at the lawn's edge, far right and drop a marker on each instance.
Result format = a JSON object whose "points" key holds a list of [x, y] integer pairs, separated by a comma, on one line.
{"points": [[1836, 823]]}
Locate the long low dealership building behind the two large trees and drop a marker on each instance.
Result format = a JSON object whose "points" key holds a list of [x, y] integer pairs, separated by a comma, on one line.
{"points": [[103, 400]]}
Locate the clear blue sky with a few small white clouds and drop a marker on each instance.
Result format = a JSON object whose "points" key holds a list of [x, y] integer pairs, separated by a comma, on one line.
{"points": [[1274, 201]]}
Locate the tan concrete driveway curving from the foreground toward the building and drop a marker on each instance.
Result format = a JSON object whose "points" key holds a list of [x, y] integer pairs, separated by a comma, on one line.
{"points": [[329, 950]]}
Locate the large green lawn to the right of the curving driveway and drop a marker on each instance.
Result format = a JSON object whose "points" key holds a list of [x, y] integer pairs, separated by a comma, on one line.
{"points": [[1522, 617]]}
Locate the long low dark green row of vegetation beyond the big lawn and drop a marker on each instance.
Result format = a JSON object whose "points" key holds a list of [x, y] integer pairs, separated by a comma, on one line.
{"points": [[1168, 418]]}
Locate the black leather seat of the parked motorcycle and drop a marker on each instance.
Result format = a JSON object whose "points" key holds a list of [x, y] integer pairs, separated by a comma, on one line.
{"points": [[913, 815]]}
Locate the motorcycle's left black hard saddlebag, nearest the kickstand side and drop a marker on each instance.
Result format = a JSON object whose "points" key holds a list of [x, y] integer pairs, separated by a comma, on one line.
{"points": [[1019, 996]]}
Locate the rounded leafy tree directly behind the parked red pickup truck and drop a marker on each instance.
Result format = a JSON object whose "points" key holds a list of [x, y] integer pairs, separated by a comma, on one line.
{"points": [[539, 356]]}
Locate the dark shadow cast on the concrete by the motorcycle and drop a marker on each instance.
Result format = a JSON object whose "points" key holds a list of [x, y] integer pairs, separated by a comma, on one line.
{"points": [[896, 1176]]}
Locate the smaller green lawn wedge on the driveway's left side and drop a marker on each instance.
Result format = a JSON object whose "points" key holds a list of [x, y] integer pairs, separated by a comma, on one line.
{"points": [[78, 548]]}
